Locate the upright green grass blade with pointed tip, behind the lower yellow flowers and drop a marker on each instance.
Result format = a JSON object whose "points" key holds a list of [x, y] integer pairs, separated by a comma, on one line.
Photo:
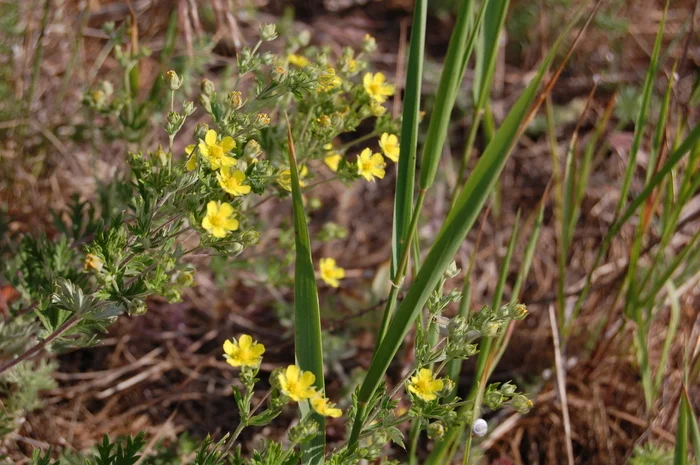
{"points": [[307, 315]]}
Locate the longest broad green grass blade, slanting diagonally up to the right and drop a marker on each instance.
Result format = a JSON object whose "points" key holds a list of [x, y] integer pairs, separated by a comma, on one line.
{"points": [[455, 228]]}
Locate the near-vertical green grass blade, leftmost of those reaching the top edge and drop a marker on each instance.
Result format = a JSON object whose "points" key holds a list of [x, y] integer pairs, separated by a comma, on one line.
{"points": [[405, 179]]}
